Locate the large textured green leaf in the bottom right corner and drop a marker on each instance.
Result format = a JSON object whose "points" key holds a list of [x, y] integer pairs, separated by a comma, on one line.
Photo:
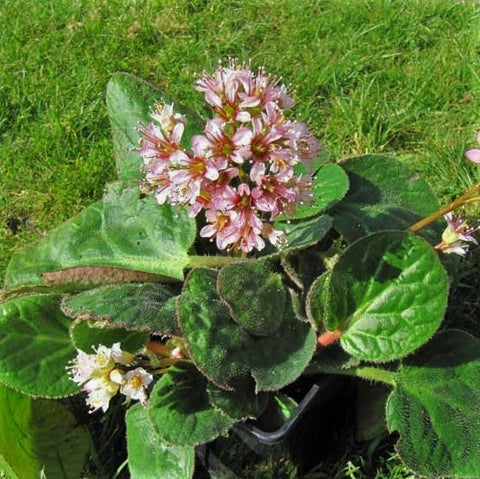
{"points": [[435, 409]]}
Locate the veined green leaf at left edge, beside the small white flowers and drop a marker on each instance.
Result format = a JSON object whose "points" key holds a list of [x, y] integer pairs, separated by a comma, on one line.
{"points": [[35, 347]]}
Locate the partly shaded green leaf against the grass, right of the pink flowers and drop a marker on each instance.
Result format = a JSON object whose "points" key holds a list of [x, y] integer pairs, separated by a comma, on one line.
{"points": [[384, 195]]}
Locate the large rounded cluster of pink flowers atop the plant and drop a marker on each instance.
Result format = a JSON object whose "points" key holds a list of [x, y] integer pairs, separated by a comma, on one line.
{"points": [[241, 170]]}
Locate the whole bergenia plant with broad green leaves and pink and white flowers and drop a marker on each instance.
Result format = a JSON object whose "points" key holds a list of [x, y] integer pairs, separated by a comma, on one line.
{"points": [[229, 262]]}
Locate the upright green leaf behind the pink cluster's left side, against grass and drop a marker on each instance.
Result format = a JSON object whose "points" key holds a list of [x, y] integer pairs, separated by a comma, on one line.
{"points": [[130, 101]]}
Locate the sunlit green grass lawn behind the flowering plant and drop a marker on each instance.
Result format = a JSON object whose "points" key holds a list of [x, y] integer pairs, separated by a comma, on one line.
{"points": [[398, 77]]}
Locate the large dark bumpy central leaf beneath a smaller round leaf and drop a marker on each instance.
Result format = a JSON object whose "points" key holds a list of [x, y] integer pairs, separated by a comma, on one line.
{"points": [[223, 350]]}
